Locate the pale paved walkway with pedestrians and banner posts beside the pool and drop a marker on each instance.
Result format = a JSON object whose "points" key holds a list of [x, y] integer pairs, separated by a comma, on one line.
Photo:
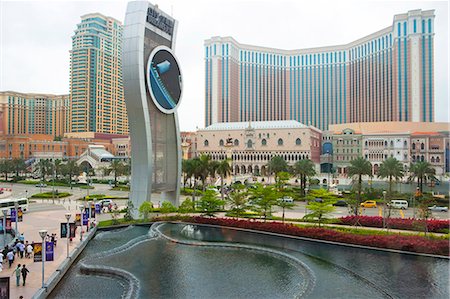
{"points": [[30, 227]]}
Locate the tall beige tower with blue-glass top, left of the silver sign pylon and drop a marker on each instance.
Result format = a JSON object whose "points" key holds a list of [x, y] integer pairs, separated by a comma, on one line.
{"points": [[96, 87]]}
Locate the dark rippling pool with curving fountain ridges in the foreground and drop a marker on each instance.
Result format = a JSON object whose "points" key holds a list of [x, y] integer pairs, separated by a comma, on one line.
{"points": [[177, 260]]}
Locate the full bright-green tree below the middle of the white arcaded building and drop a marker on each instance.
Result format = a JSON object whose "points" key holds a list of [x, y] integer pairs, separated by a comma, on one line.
{"points": [[262, 198]]}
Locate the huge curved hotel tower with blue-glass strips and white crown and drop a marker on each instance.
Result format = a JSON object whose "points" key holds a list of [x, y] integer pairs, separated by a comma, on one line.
{"points": [[385, 76]]}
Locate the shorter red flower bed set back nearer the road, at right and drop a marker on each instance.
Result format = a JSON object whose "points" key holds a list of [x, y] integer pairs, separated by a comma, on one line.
{"points": [[397, 223]]}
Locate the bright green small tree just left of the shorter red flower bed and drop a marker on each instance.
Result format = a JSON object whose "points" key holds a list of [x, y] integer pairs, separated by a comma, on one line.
{"points": [[320, 202]]}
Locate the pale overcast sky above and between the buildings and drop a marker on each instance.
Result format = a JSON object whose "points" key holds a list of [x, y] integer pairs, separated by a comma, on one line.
{"points": [[35, 37]]}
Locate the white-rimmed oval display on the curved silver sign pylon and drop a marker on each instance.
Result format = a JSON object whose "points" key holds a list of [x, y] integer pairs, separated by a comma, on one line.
{"points": [[164, 79]]}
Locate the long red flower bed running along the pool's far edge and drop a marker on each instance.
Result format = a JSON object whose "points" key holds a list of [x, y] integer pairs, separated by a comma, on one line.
{"points": [[398, 242]]}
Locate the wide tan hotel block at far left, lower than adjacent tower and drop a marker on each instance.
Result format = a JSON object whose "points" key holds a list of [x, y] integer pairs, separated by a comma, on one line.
{"points": [[31, 113]]}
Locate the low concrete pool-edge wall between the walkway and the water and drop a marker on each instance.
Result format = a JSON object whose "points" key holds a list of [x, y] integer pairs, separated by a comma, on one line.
{"points": [[59, 273]]}
